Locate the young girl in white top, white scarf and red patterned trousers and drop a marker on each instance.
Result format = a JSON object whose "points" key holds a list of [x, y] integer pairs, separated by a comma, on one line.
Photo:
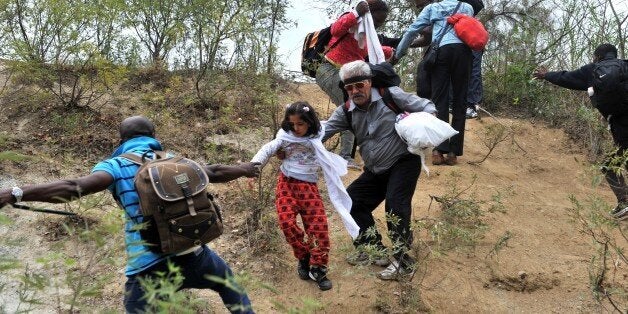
{"points": [[297, 193]]}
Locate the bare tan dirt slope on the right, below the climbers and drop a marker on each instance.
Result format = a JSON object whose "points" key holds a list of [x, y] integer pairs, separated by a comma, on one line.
{"points": [[543, 268]]}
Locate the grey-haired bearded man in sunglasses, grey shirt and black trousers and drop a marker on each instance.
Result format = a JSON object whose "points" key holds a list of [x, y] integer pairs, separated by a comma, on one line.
{"points": [[390, 172]]}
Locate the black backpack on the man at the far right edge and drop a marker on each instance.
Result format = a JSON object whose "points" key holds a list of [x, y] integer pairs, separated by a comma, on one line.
{"points": [[610, 86]]}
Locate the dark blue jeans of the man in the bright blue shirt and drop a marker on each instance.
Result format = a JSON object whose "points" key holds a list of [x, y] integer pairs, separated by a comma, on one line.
{"points": [[194, 267]]}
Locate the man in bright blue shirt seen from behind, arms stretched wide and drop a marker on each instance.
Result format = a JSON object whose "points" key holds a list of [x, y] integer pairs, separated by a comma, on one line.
{"points": [[117, 174]]}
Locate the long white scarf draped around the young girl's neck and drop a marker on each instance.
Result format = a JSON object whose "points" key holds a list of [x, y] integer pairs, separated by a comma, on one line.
{"points": [[333, 167]]}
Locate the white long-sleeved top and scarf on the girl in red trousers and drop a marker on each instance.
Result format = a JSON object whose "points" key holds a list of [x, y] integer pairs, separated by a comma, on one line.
{"points": [[304, 156]]}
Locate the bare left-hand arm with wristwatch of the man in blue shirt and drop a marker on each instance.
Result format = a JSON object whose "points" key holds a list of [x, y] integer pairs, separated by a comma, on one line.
{"points": [[60, 191]]}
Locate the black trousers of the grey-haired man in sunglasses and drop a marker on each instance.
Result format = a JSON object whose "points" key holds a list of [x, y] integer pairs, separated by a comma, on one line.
{"points": [[396, 186]]}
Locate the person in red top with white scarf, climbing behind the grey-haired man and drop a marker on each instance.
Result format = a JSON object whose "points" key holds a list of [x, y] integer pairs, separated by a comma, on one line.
{"points": [[344, 49]]}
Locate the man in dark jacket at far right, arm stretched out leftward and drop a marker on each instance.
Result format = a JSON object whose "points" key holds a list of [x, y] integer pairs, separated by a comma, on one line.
{"points": [[606, 80]]}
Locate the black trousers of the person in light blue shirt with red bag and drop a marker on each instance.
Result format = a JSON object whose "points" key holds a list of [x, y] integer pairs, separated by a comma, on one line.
{"points": [[453, 64]]}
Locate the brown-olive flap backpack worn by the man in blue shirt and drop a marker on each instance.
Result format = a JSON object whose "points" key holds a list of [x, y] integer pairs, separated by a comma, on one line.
{"points": [[178, 211]]}
